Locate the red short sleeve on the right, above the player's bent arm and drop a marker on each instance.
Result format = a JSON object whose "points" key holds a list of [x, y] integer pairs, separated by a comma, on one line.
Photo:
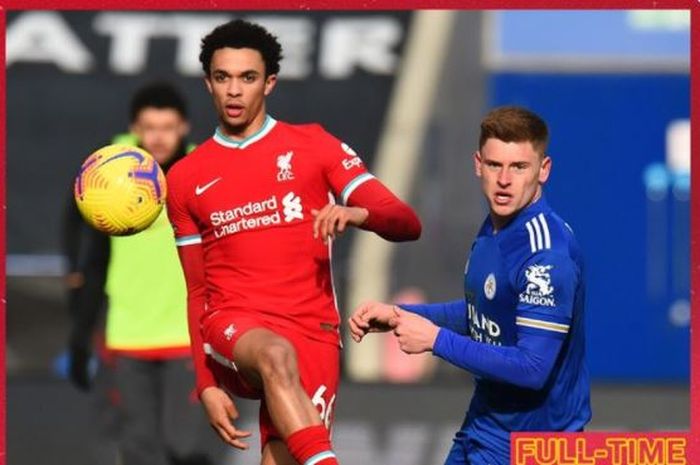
{"points": [[342, 166]]}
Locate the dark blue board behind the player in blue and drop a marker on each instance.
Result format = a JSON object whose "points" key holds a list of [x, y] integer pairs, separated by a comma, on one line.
{"points": [[608, 136]]}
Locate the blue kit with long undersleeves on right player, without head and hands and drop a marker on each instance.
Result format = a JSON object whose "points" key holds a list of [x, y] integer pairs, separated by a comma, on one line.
{"points": [[520, 330]]}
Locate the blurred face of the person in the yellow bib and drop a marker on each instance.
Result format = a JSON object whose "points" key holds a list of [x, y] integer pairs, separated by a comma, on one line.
{"points": [[160, 131]]}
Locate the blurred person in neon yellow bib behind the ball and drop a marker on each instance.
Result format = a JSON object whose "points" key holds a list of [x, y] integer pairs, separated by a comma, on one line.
{"points": [[159, 419]]}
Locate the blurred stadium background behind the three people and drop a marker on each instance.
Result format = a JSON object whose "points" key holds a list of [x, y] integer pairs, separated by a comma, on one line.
{"points": [[409, 102]]}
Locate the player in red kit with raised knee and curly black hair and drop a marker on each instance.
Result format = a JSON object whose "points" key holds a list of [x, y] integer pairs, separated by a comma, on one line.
{"points": [[254, 214]]}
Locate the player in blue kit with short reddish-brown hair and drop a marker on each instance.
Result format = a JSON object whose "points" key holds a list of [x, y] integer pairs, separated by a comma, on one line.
{"points": [[520, 327]]}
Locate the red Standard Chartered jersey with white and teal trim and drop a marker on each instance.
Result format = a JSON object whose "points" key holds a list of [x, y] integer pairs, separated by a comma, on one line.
{"points": [[249, 204]]}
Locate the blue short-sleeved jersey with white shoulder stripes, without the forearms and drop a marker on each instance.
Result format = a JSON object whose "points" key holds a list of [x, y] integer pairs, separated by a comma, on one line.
{"points": [[528, 278]]}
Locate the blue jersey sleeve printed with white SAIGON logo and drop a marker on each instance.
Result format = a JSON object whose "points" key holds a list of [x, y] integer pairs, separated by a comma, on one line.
{"points": [[546, 286]]}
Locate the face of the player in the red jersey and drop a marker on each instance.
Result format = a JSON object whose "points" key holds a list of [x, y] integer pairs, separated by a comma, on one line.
{"points": [[238, 86]]}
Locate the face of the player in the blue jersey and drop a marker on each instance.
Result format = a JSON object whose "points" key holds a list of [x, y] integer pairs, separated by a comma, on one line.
{"points": [[512, 175]]}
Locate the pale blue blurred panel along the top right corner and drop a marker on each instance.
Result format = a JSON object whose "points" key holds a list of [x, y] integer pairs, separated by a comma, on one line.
{"points": [[620, 37]]}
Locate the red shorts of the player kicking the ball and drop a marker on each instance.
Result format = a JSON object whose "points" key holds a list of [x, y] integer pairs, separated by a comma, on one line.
{"points": [[318, 364]]}
